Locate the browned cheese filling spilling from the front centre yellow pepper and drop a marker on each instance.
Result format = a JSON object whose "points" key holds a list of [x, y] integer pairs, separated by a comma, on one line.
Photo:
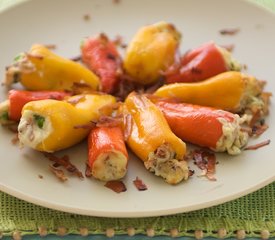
{"points": [[163, 163]]}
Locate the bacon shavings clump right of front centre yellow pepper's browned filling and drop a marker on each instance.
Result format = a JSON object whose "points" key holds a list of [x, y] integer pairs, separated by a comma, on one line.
{"points": [[206, 161]]}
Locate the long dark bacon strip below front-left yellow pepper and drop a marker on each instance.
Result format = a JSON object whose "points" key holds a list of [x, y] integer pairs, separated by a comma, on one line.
{"points": [[64, 162]]}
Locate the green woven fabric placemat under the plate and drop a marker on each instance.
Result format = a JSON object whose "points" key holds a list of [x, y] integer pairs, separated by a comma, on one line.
{"points": [[252, 213]]}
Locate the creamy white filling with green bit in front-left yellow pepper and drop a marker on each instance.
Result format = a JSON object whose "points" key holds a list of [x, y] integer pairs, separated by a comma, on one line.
{"points": [[31, 132]]}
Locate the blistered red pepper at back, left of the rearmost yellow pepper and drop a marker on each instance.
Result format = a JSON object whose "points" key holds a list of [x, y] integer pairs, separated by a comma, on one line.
{"points": [[101, 56]]}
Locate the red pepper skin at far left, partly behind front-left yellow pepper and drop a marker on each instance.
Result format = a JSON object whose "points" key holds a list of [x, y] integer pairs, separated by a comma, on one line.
{"points": [[18, 98]]}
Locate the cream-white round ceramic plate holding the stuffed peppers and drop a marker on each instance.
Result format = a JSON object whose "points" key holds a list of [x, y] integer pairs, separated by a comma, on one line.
{"points": [[62, 23]]}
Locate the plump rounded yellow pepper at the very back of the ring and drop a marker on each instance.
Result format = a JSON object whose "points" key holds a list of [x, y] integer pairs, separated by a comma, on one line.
{"points": [[151, 51]]}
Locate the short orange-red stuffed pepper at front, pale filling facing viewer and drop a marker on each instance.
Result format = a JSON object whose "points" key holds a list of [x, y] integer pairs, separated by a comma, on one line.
{"points": [[107, 154]]}
